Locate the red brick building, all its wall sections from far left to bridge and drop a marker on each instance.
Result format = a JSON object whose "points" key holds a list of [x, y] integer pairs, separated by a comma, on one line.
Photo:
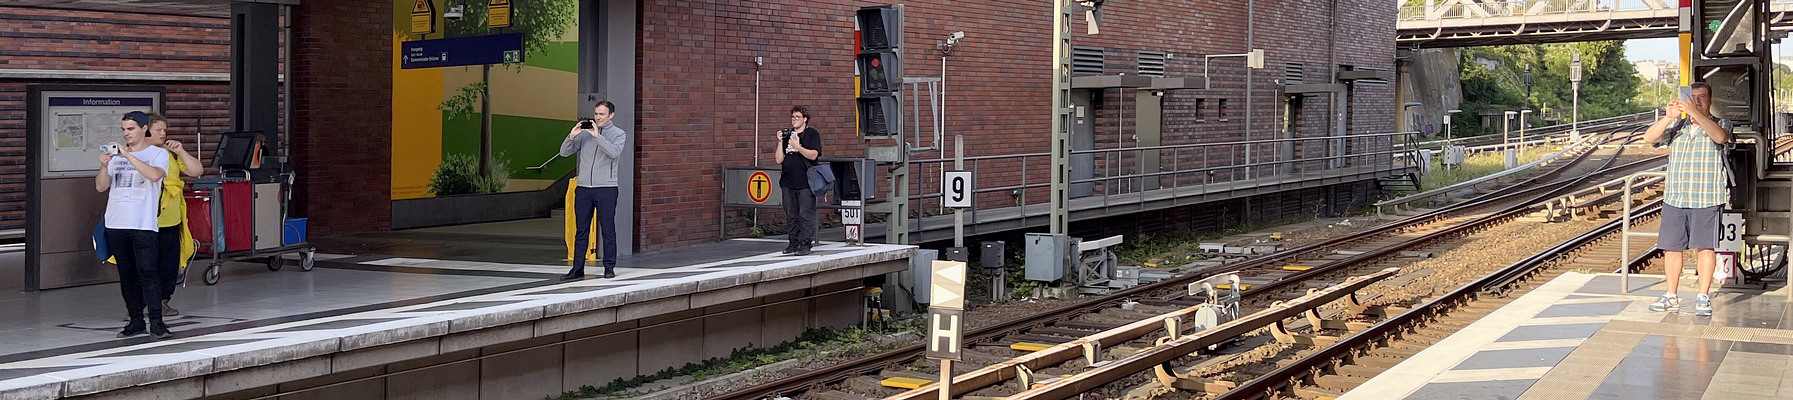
{"points": [[695, 73]]}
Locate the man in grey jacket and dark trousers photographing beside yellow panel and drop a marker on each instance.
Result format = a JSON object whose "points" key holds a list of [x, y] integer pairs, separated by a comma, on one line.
{"points": [[600, 144]]}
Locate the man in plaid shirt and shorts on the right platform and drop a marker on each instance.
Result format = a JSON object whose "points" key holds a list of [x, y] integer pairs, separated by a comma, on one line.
{"points": [[1695, 196]]}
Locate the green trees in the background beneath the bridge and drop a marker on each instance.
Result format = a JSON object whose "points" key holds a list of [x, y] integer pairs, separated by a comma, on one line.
{"points": [[1494, 82]]}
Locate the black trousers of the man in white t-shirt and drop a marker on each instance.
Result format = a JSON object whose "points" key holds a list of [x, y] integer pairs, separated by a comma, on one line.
{"points": [[135, 252]]}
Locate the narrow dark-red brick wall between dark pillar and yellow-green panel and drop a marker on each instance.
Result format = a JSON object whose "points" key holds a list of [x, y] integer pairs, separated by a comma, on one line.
{"points": [[343, 114]]}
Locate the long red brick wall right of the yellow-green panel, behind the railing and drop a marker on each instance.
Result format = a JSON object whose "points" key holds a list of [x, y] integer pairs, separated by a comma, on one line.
{"points": [[697, 85]]}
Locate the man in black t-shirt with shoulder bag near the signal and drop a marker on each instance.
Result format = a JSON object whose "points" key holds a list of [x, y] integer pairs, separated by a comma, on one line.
{"points": [[797, 153]]}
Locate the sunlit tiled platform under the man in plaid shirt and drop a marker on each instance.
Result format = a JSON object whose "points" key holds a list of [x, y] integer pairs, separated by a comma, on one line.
{"points": [[1581, 338]]}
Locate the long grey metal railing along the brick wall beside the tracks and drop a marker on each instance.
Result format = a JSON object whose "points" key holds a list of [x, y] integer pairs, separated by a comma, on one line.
{"points": [[1181, 168]]}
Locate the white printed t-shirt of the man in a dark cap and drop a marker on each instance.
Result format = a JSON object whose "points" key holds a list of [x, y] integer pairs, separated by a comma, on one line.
{"points": [[134, 202]]}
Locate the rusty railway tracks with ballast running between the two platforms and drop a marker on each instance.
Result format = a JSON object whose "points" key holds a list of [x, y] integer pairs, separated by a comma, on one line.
{"points": [[1057, 349]]}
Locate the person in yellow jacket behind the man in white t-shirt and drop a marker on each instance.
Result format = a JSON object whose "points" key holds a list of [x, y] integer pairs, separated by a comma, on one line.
{"points": [[175, 241]]}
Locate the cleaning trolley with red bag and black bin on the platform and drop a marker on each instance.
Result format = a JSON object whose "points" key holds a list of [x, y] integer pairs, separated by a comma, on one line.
{"points": [[230, 216]]}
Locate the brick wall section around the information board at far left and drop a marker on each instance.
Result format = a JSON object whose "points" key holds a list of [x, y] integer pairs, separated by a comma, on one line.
{"points": [[101, 42]]}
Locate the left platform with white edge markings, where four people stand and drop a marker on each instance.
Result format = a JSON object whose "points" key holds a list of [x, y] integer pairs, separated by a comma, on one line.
{"points": [[354, 315]]}
